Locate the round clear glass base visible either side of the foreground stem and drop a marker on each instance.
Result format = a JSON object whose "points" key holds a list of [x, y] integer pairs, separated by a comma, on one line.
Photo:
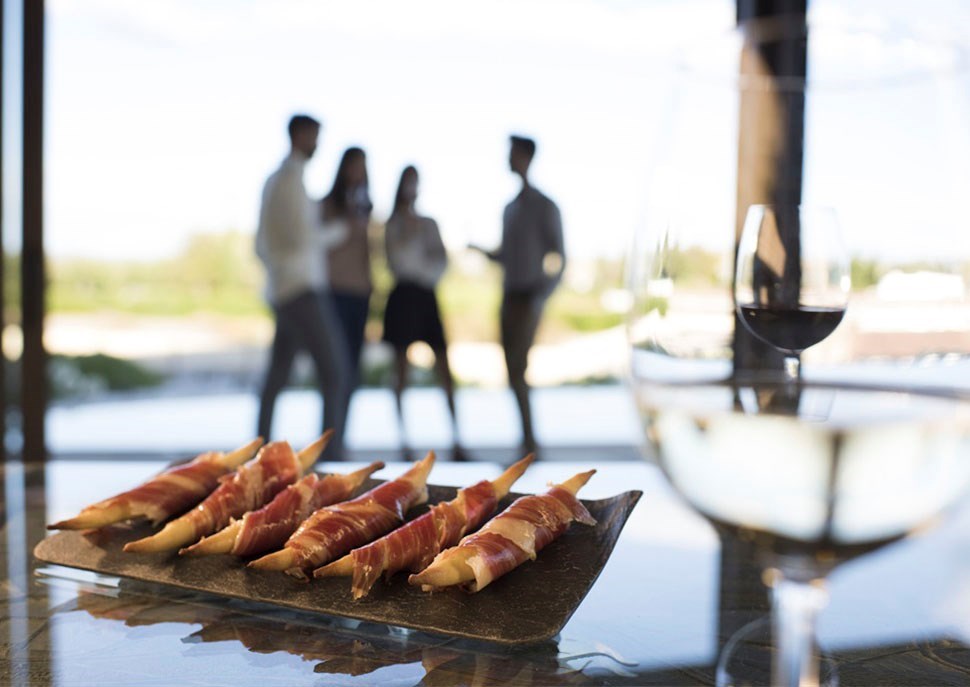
{"points": [[746, 659]]}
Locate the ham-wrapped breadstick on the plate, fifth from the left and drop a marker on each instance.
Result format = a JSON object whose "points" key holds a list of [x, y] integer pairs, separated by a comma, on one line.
{"points": [[414, 545]]}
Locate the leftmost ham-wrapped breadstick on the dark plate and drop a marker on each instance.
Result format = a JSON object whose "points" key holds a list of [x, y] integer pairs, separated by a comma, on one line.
{"points": [[170, 493]]}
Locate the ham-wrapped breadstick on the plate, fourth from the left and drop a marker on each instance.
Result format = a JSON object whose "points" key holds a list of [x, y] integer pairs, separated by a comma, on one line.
{"points": [[333, 531]]}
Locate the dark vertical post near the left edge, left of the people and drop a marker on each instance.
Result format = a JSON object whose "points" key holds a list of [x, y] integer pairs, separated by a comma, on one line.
{"points": [[34, 377]]}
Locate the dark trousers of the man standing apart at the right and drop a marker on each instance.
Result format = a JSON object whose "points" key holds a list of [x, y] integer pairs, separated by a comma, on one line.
{"points": [[519, 319]]}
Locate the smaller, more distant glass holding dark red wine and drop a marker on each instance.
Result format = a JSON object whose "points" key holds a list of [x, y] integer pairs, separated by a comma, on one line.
{"points": [[791, 287]]}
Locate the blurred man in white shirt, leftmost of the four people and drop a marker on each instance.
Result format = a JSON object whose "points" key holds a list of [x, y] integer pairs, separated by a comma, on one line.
{"points": [[290, 243]]}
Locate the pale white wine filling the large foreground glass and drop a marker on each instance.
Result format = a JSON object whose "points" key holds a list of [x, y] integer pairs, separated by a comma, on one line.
{"points": [[810, 467]]}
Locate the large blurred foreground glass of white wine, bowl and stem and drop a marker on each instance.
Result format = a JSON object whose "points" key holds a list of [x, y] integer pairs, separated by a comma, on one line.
{"points": [[767, 125]]}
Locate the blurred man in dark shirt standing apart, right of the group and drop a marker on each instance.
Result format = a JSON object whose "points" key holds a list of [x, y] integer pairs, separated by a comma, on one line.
{"points": [[532, 256]]}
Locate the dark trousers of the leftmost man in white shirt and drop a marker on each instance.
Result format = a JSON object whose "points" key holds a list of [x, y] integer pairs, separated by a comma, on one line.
{"points": [[308, 322]]}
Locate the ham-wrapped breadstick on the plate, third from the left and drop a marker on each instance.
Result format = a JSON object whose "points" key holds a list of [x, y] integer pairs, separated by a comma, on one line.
{"points": [[268, 528]]}
